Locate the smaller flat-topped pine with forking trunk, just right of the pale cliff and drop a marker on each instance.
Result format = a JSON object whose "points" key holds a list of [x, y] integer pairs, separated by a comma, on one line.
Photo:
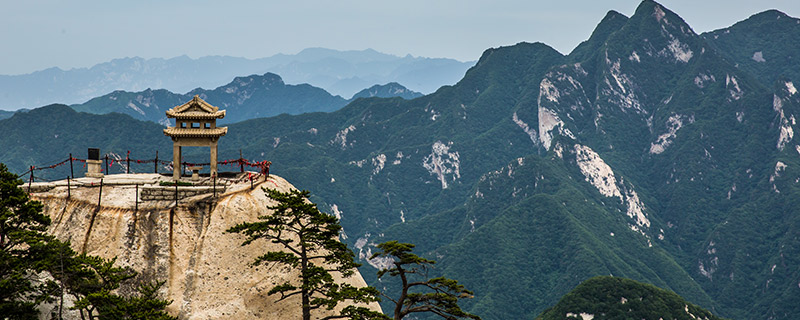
{"points": [[436, 295]]}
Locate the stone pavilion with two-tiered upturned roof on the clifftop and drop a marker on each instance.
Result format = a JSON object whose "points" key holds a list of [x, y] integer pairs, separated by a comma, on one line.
{"points": [[195, 126]]}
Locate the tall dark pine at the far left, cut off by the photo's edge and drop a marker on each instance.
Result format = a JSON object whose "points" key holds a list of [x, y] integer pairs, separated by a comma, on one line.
{"points": [[22, 227]]}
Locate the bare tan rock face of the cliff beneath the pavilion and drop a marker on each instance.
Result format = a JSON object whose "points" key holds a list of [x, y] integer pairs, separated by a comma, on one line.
{"points": [[207, 272]]}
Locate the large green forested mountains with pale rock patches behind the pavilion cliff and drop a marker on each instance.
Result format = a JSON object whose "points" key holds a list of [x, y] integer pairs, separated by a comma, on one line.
{"points": [[647, 153]]}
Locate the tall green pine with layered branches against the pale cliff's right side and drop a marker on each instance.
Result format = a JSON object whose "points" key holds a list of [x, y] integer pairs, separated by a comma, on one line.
{"points": [[311, 242]]}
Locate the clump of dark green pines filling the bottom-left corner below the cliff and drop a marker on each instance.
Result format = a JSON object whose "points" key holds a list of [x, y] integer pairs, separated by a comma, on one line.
{"points": [[27, 254]]}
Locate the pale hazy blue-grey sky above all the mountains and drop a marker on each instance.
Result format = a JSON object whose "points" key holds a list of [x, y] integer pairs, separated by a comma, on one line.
{"points": [[38, 34]]}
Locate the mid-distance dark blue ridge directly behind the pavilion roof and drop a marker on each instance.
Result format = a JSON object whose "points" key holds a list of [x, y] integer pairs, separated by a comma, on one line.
{"points": [[245, 98]]}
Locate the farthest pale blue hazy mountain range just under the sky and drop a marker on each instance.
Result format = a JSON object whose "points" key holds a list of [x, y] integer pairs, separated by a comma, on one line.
{"points": [[341, 73]]}
